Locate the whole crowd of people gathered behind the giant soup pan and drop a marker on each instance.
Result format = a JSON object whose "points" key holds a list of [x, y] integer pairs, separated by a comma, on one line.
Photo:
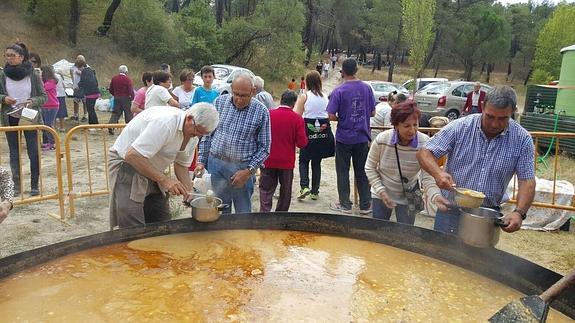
{"points": [[234, 135]]}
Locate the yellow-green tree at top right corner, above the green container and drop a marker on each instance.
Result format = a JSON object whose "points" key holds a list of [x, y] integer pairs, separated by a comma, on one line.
{"points": [[557, 33]]}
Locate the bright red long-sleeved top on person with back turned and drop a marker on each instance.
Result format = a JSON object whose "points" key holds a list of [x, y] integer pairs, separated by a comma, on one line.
{"points": [[288, 132]]}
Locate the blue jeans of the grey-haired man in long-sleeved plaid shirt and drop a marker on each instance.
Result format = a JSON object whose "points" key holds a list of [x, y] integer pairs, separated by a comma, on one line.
{"points": [[221, 172]]}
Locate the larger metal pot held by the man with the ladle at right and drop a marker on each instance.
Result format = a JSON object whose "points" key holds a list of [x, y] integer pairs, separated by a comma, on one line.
{"points": [[479, 227]]}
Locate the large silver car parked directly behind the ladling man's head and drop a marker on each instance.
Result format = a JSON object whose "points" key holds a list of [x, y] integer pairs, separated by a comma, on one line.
{"points": [[445, 98]]}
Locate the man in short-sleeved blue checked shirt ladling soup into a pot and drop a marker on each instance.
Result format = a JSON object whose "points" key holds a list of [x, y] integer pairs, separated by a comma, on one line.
{"points": [[483, 152]]}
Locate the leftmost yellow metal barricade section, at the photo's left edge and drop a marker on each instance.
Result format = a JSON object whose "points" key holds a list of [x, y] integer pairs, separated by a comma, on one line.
{"points": [[43, 171]]}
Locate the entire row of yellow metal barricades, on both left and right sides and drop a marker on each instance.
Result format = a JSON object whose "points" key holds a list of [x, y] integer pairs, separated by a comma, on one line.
{"points": [[87, 132]]}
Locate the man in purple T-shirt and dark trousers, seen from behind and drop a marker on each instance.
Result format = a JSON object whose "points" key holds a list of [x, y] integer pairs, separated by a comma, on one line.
{"points": [[352, 105]]}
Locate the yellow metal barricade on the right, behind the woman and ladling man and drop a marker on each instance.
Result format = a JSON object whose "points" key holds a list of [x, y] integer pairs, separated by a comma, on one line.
{"points": [[537, 139]]}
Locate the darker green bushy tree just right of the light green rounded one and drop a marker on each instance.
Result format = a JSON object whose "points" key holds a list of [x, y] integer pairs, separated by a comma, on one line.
{"points": [[202, 41]]}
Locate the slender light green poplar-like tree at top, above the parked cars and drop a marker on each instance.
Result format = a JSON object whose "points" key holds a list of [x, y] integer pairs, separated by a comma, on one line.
{"points": [[418, 24]]}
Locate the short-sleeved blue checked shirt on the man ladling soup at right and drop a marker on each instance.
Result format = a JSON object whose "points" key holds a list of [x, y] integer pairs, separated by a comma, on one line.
{"points": [[481, 164]]}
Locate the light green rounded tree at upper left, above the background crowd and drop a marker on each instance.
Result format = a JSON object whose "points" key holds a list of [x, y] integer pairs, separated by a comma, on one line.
{"points": [[143, 28]]}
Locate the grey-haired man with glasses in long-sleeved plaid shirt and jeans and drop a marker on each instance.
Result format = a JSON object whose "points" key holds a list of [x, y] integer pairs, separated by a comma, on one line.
{"points": [[239, 145]]}
